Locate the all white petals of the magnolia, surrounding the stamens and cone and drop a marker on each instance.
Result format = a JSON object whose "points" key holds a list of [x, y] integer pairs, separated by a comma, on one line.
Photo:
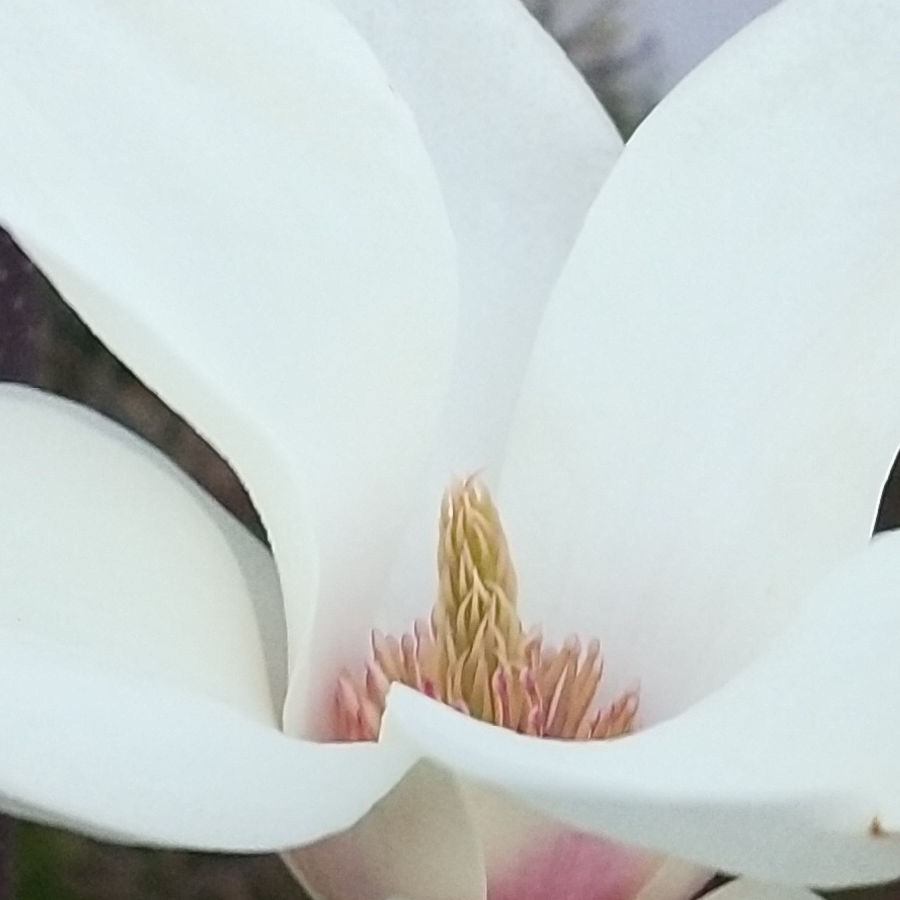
{"points": [[330, 245]]}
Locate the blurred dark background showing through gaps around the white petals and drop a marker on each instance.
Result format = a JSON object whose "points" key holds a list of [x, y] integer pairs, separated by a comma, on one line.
{"points": [[43, 343]]}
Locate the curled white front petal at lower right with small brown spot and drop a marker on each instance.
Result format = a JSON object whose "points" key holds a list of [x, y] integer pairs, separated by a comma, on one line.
{"points": [[790, 773]]}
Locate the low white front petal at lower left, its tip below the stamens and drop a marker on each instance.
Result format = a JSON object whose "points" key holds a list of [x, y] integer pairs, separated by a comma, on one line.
{"points": [[96, 748]]}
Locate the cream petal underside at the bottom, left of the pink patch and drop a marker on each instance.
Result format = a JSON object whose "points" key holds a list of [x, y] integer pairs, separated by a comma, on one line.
{"points": [[416, 843]]}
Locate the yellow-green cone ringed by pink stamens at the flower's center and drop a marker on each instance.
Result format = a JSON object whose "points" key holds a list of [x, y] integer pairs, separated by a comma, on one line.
{"points": [[474, 654]]}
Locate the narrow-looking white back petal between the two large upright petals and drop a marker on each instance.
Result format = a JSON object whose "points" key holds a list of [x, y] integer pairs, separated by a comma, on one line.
{"points": [[521, 147]]}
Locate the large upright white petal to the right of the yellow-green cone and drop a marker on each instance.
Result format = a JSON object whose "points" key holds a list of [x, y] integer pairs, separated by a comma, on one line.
{"points": [[712, 406]]}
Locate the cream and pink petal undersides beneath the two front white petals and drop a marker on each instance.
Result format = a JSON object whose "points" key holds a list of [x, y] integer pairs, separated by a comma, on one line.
{"points": [[438, 838]]}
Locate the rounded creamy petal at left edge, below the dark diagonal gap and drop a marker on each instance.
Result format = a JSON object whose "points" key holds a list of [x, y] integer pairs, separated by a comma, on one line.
{"points": [[109, 549]]}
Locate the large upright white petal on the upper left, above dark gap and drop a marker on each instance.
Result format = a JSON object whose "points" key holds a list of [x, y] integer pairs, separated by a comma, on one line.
{"points": [[237, 202]]}
